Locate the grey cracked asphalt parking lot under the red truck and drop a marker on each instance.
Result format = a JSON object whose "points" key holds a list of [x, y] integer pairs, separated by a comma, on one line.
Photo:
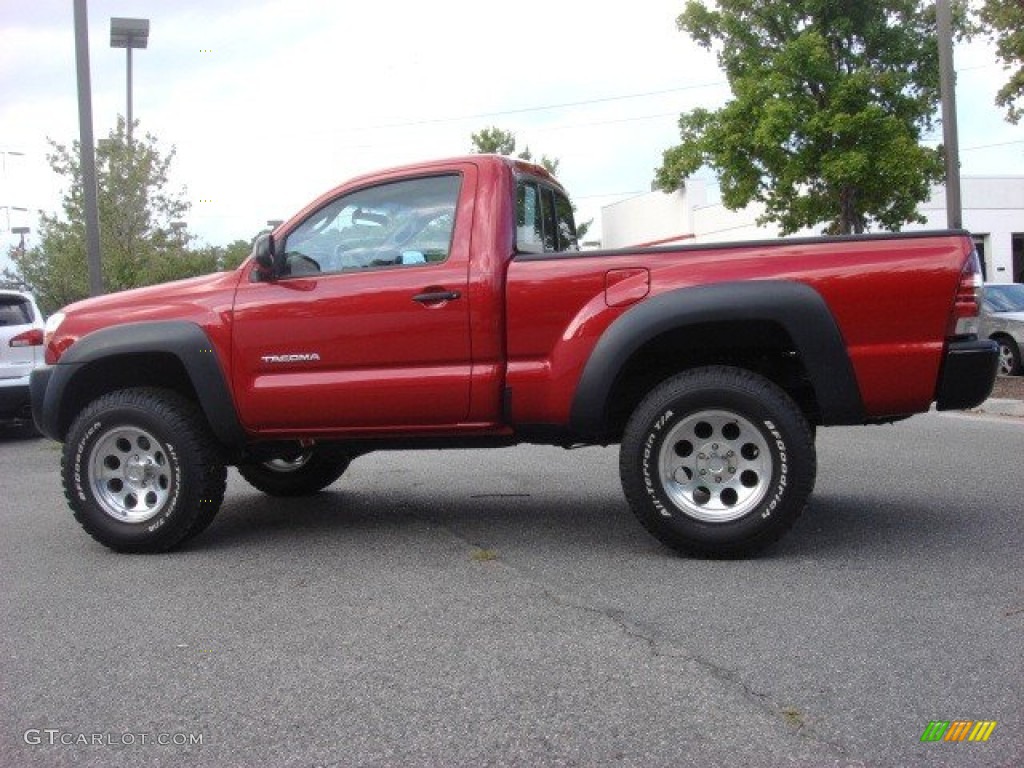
{"points": [[473, 609]]}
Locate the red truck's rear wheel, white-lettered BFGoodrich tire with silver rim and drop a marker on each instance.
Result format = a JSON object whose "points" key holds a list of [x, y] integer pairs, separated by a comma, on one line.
{"points": [[718, 462]]}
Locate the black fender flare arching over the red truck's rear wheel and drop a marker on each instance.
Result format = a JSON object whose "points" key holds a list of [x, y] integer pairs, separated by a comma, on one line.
{"points": [[796, 308]]}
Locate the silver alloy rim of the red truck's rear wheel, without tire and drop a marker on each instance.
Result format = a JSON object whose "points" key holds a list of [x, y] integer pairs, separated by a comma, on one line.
{"points": [[715, 466]]}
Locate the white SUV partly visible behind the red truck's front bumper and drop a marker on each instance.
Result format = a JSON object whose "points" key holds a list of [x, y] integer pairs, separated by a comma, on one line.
{"points": [[21, 352]]}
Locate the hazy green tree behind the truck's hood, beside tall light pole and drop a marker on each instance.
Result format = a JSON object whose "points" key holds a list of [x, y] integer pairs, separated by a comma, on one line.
{"points": [[142, 240]]}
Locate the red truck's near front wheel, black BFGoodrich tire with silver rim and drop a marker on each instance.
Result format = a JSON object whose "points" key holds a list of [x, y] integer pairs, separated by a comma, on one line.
{"points": [[142, 472]]}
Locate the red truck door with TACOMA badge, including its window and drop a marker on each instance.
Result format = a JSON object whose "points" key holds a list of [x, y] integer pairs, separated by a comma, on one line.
{"points": [[369, 328]]}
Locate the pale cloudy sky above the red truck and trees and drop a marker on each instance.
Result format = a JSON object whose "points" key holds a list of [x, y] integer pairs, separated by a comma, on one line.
{"points": [[269, 104]]}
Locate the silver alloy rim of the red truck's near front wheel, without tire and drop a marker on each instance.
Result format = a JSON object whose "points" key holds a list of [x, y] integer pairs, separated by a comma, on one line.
{"points": [[131, 475]]}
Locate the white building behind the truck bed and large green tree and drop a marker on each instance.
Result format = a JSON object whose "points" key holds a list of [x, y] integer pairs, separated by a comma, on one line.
{"points": [[994, 212]]}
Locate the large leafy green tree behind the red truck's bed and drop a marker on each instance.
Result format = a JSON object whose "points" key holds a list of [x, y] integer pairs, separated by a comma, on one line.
{"points": [[831, 101]]}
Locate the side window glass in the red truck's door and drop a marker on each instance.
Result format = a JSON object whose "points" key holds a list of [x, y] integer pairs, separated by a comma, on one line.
{"points": [[403, 224]]}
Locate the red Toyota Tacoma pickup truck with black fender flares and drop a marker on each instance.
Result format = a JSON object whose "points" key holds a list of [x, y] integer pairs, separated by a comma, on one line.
{"points": [[447, 305]]}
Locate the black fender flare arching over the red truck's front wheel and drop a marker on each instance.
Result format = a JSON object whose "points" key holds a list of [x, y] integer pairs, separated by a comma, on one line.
{"points": [[186, 342]]}
